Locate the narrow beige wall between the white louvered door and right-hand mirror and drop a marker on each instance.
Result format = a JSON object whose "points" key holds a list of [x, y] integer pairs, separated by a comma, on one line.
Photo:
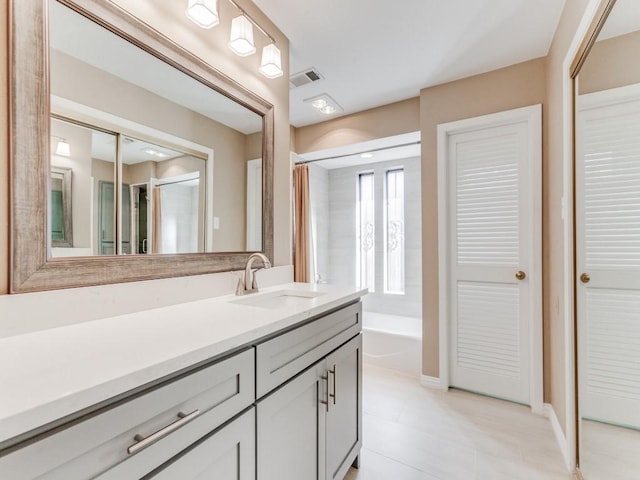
{"points": [[552, 190]]}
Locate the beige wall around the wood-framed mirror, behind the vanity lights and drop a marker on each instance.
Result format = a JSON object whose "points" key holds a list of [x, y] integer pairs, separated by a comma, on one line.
{"points": [[210, 45]]}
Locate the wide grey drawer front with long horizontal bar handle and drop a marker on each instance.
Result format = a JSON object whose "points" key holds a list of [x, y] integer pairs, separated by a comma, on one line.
{"points": [[95, 444]]}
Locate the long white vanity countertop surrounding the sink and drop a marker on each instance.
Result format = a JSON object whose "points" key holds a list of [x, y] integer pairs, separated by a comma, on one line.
{"points": [[50, 374]]}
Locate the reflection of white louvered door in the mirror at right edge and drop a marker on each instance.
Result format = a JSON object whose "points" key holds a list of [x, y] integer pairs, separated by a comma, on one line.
{"points": [[608, 247]]}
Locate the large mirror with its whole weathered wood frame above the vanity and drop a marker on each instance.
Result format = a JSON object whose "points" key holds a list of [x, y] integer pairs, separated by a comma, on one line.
{"points": [[164, 150]]}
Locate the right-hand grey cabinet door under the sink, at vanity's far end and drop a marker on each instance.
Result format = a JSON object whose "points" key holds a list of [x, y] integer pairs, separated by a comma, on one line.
{"points": [[344, 422]]}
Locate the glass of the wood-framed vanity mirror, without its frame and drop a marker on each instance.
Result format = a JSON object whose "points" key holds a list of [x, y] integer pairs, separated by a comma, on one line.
{"points": [[160, 163]]}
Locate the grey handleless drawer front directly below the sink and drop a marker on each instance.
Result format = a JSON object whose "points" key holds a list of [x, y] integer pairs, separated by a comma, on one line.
{"points": [[282, 357]]}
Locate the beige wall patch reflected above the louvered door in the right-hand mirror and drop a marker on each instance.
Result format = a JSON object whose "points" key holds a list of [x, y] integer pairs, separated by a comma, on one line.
{"points": [[611, 63]]}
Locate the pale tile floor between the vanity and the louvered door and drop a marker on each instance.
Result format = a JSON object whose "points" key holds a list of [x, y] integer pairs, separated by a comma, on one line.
{"points": [[415, 433]]}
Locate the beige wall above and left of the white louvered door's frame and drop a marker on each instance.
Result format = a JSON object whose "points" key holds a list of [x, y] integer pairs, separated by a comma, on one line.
{"points": [[512, 87]]}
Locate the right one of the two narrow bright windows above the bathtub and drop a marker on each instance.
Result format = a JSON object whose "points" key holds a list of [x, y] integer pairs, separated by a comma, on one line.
{"points": [[394, 232]]}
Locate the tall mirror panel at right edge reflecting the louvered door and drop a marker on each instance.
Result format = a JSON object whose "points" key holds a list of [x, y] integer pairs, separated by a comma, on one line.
{"points": [[608, 249]]}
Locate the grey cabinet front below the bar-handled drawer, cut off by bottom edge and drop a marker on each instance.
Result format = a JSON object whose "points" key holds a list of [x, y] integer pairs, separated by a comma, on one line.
{"points": [[228, 454]]}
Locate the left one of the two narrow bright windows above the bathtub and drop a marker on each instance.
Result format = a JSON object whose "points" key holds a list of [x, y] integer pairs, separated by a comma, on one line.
{"points": [[365, 232]]}
